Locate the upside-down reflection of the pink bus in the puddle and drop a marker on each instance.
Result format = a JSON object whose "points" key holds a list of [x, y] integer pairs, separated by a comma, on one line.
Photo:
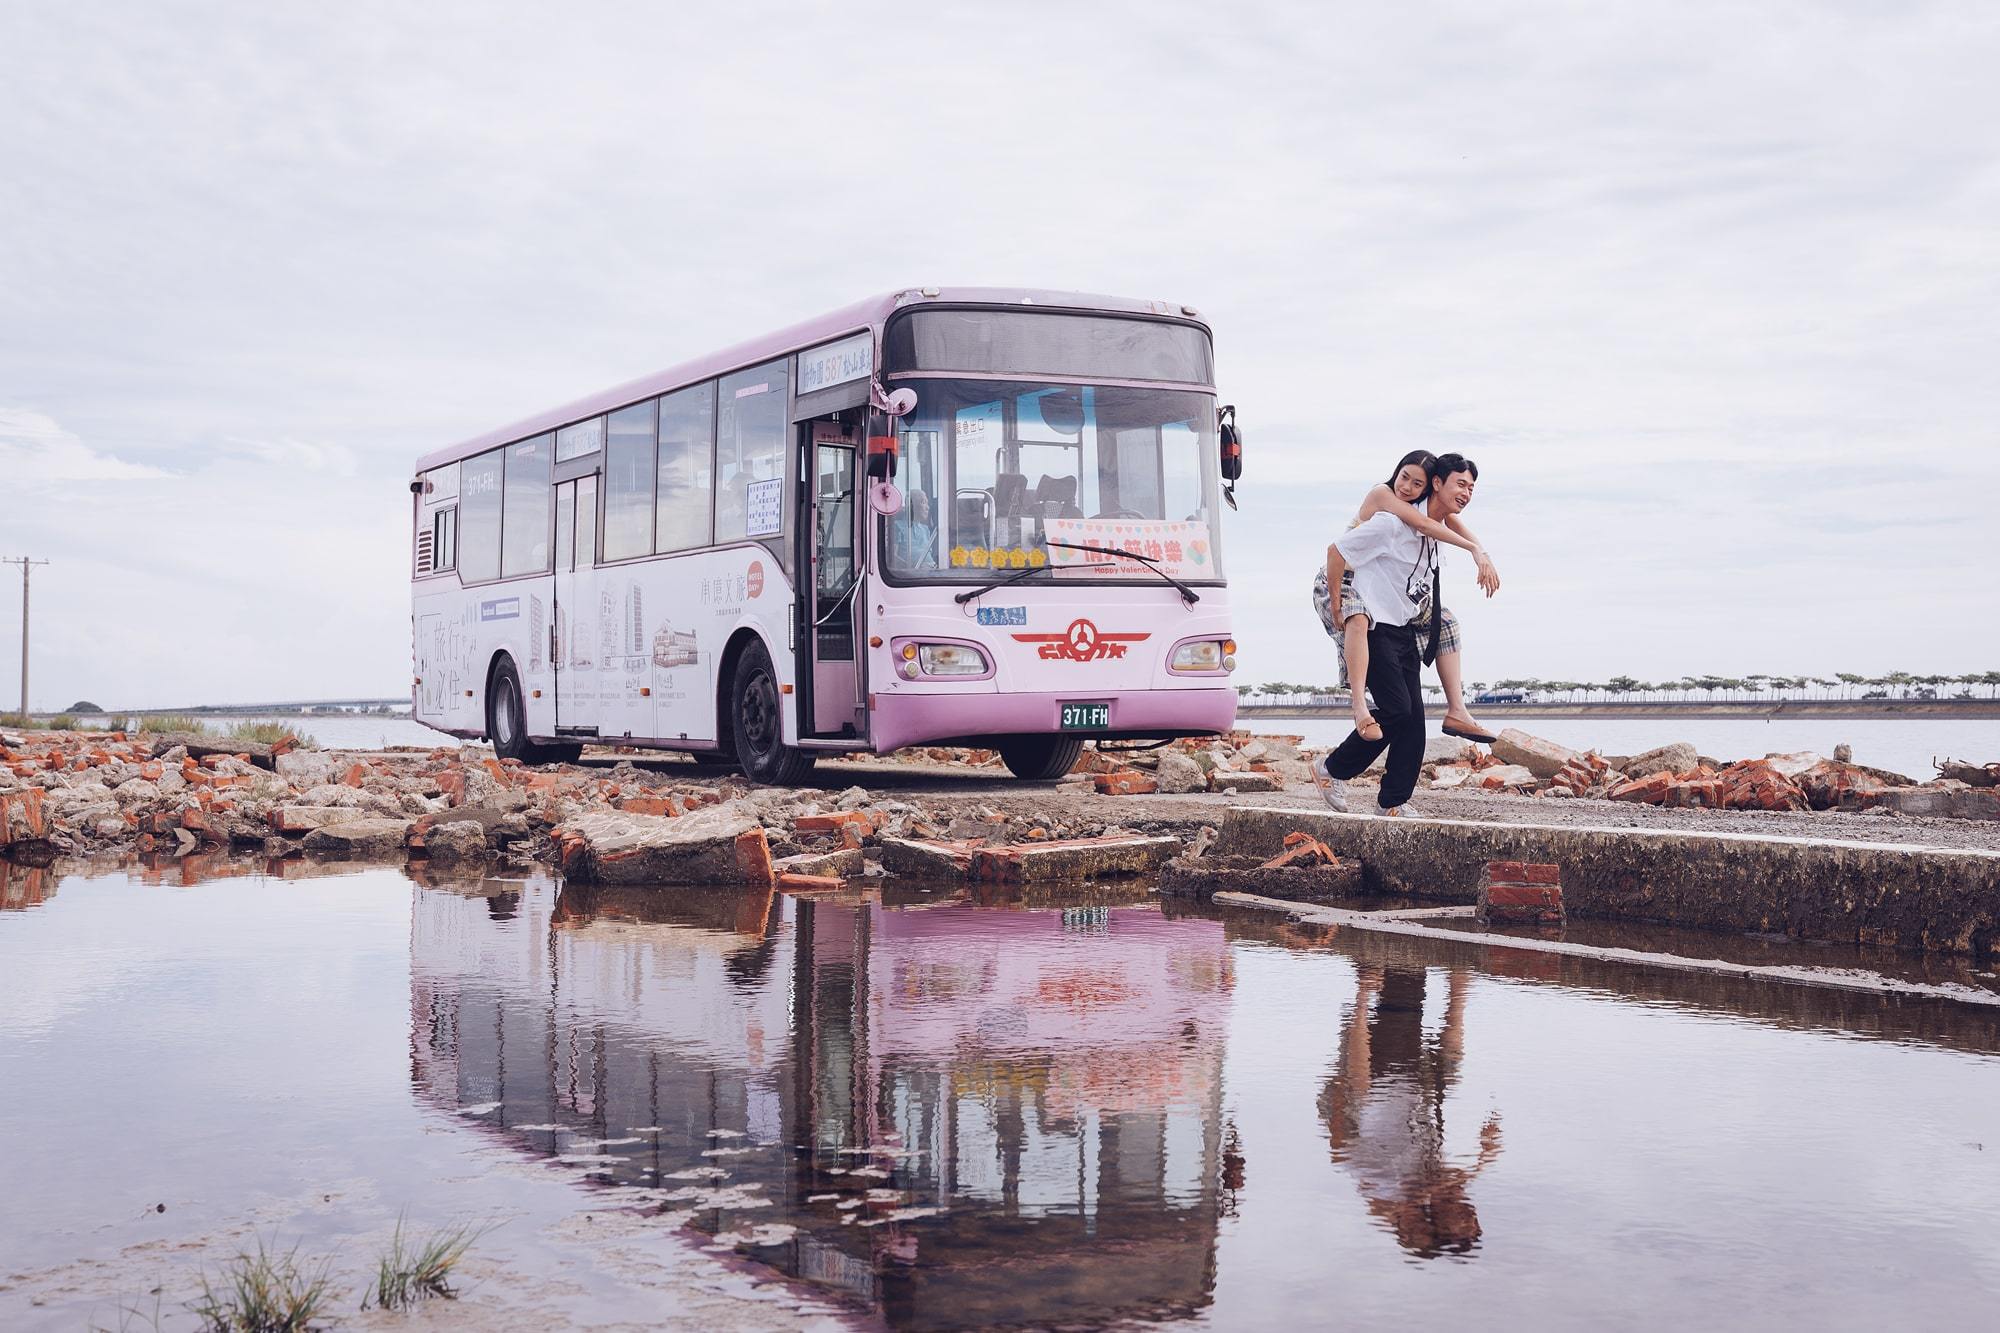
{"points": [[1049, 1082]]}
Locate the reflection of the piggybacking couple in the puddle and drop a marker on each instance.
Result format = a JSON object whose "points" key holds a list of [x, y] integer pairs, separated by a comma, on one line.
{"points": [[1385, 1112]]}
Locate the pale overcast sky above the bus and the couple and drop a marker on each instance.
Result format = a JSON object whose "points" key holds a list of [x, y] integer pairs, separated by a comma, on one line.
{"points": [[1709, 291]]}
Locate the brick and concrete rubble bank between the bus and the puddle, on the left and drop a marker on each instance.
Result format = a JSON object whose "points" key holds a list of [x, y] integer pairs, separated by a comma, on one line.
{"points": [[461, 810]]}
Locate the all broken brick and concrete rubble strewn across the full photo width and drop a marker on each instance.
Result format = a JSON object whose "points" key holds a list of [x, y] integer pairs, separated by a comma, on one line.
{"points": [[465, 812]]}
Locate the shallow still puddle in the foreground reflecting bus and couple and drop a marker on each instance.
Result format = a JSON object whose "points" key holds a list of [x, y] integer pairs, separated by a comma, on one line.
{"points": [[943, 1112]]}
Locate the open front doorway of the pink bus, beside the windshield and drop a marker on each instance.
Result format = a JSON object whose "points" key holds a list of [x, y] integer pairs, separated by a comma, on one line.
{"points": [[833, 575]]}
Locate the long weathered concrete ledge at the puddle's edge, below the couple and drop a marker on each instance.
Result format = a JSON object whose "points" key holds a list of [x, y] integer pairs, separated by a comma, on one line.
{"points": [[1837, 892]]}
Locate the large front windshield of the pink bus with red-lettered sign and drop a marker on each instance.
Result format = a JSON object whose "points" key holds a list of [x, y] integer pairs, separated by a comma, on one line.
{"points": [[1005, 475]]}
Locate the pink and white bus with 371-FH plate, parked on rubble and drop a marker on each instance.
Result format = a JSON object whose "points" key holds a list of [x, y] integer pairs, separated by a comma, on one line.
{"points": [[937, 517]]}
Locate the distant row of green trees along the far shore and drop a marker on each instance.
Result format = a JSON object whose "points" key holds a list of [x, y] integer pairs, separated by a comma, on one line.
{"points": [[1709, 690]]}
